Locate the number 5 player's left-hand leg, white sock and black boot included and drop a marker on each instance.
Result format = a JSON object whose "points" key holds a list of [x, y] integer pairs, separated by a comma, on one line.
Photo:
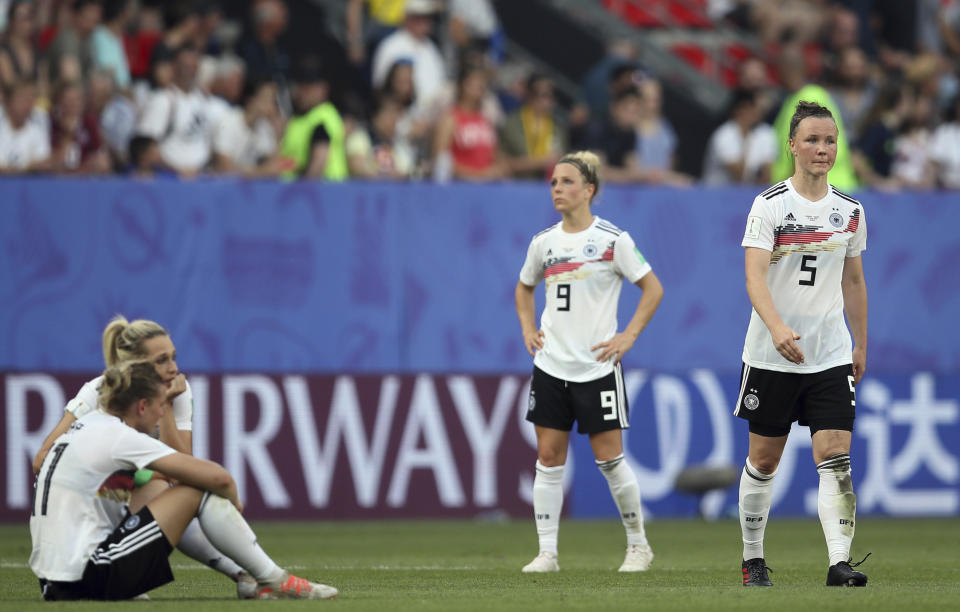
{"points": [[756, 494]]}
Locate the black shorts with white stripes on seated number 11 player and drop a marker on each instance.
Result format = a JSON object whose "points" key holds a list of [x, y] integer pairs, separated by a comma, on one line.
{"points": [[132, 560]]}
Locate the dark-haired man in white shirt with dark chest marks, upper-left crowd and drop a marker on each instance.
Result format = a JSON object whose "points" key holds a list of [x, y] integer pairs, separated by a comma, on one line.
{"points": [[180, 117]]}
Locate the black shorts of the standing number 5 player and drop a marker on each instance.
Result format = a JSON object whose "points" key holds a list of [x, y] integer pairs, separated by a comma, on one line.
{"points": [[772, 400]]}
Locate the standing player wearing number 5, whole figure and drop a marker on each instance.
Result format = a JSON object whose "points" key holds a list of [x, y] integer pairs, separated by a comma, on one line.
{"points": [[803, 243]]}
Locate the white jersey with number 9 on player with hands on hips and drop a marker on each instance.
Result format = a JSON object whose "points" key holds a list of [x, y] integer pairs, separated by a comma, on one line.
{"points": [[584, 273]]}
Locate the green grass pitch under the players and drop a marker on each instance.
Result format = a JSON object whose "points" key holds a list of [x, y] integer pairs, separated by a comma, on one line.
{"points": [[462, 565]]}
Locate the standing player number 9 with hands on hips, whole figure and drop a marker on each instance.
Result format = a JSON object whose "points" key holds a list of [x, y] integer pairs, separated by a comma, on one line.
{"points": [[577, 375]]}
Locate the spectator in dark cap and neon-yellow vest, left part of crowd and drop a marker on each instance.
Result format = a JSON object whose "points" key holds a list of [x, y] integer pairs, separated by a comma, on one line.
{"points": [[314, 137]]}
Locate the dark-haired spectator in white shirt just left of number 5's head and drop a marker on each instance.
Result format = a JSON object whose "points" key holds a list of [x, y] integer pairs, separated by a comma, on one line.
{"points": [[742, 149]]}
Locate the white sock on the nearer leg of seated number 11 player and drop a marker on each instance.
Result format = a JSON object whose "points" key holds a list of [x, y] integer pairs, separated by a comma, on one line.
{"points": [[231, 535]]}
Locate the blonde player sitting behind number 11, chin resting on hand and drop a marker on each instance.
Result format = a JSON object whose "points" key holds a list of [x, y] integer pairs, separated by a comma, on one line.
{"points": [[146, 340]]}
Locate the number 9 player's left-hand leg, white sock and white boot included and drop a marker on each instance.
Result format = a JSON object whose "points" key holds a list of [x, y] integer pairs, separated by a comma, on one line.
{"points": [[548, 496]]}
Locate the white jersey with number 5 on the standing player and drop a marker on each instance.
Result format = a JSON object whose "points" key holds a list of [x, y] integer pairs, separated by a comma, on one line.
{"points": [[809, 243]]}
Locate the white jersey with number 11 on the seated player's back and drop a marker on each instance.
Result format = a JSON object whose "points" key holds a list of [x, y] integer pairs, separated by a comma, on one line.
{"points": [[70, 517]]}
